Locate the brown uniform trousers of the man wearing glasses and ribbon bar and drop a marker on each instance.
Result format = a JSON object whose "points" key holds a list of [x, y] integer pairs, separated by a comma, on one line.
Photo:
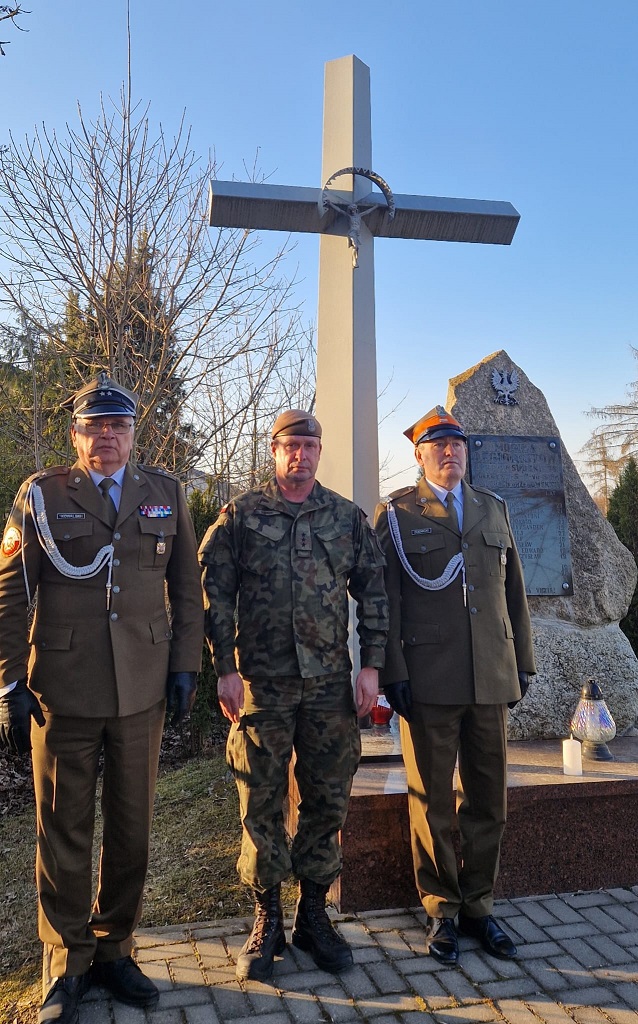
{"points": [[66, 757]]}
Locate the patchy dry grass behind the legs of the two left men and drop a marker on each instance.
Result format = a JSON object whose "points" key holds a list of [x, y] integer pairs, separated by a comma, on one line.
{"points": [[192, 876]]}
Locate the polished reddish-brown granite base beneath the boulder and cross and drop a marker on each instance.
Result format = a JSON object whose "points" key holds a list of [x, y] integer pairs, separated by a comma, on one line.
{"points": [[564, 833]]}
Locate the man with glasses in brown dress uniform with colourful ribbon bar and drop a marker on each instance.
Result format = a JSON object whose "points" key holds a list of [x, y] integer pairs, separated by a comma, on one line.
{"points": [[100, 545]]}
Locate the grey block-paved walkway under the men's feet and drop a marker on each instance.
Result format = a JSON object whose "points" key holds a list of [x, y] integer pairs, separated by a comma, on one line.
{"points": [[578, 962]]}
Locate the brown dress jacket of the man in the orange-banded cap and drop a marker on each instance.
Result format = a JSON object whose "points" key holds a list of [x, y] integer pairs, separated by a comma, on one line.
{"points": [[455, 651]]}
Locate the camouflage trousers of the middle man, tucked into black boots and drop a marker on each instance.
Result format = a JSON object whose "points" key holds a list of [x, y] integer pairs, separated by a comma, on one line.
{"points": [[316, 717]]}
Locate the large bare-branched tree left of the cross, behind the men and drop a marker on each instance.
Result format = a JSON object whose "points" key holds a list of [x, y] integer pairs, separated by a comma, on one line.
{"points": [[112, 220]]}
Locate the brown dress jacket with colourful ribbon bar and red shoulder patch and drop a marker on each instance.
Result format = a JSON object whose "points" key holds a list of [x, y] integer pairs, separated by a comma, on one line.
{"points": [[83, 658]]}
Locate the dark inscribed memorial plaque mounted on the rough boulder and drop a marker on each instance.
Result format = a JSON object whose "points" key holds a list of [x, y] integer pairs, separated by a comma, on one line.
{"points": [[528, 474]]}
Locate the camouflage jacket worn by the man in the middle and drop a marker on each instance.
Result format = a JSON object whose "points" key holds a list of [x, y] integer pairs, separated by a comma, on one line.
{"points": [[277, 585]]}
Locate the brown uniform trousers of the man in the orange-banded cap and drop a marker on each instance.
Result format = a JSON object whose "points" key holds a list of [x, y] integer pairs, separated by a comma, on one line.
{"points": [[431, 744]]}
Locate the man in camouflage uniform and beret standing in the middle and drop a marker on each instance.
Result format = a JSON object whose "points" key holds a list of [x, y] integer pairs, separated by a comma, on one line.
{"points": [[279, 565]]}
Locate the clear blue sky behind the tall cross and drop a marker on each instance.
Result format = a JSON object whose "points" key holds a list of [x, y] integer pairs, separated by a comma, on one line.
{"points": [[530, 102]]}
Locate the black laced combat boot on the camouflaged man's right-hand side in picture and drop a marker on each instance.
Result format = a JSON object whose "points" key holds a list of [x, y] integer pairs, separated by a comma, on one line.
{"points": [[313, 930]]}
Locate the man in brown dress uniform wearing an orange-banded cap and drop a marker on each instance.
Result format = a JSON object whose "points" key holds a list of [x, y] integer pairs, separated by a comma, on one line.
{"points": [[459, 652]]}
